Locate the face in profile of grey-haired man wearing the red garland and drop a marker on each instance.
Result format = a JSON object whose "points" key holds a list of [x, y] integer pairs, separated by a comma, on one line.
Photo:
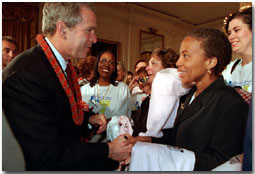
{"points": [[80, 38]]}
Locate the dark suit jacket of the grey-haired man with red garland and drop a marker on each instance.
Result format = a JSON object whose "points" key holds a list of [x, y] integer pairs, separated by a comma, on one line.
{"points": [[39, 113]]}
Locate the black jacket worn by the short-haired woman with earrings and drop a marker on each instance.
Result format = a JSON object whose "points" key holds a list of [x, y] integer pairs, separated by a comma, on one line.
{"points": [[212, 126]]}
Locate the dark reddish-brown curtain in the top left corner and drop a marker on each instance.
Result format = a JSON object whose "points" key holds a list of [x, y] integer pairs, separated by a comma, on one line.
{"points": [[20, 20]]}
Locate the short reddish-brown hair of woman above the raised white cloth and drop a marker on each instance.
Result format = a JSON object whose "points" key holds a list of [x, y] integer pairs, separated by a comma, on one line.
{"points": [[167, 56]]}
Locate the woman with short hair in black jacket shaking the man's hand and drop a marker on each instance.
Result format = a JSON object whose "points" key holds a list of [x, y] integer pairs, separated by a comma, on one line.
{"points": [[211, 118]]}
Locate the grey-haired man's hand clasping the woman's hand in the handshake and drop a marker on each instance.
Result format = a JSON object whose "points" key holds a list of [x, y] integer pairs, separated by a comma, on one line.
{"points": [[118, 152]]}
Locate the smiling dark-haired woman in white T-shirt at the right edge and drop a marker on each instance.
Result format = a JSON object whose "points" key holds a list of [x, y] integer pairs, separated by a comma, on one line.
{"points": [[239, 30]]}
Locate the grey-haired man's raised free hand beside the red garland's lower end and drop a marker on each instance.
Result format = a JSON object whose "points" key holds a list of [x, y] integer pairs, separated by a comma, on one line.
{"points": [[100, 120]]}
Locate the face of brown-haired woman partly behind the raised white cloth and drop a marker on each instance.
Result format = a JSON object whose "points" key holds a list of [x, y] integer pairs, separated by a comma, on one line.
{"points": [[155, 65]]}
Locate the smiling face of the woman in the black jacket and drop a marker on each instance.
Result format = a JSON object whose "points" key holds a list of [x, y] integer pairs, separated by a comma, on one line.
{"points": [[192, 61]]}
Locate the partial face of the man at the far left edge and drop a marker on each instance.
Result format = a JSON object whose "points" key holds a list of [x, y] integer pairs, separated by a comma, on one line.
{"points": [[9, 51]]}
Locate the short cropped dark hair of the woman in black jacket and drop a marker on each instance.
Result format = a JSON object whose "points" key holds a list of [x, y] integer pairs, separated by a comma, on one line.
{"points": [[215, 44]]}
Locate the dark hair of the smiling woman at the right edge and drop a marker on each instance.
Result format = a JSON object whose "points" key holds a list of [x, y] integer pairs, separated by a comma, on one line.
{"points": [[245, 15]]}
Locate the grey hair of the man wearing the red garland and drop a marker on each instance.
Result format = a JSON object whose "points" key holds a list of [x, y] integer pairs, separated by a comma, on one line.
{"points": [[68, 12]]}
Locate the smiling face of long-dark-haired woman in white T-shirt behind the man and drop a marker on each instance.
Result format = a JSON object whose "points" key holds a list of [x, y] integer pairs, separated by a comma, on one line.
{"points": [[106, 65]]}
